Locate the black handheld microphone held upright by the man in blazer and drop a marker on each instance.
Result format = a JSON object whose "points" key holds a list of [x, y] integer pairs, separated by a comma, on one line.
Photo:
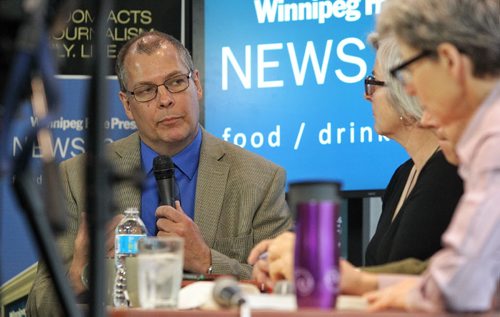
{"points": [[163, 169]]}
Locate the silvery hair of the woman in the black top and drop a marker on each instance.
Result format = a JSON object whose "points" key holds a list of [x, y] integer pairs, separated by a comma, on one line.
{"points": [[388, 55]]}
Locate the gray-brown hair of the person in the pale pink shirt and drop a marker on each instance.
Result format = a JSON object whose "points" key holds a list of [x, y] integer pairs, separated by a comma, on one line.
{"points": [[473, 26]]}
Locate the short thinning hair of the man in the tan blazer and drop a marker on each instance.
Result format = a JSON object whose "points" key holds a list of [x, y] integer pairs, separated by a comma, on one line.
{"points": [[148, 43]]}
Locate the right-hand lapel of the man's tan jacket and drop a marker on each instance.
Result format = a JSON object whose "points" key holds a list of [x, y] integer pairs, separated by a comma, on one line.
{"points": [[211, 186]]}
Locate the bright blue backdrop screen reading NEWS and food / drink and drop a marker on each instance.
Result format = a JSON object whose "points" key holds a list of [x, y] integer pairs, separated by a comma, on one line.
{"points": [[285, 79]]}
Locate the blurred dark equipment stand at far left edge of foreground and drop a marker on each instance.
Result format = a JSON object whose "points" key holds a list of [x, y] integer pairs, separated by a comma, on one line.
{"points": [[33, 54]]}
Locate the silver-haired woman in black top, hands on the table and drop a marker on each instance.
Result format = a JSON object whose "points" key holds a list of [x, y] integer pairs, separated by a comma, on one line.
{"points": [[418, 202]]}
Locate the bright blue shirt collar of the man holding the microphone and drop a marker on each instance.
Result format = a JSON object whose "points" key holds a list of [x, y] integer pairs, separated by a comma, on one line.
{"points": [[186, 160]]}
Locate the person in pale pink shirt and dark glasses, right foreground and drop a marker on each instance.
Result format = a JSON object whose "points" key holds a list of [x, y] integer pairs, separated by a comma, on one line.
{"points": [[451, 53]]}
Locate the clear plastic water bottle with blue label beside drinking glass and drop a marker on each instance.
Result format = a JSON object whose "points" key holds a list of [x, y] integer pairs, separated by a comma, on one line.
{"points": [[128, 232]]}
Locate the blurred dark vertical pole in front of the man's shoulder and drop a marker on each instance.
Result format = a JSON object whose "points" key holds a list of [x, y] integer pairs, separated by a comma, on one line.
{"points": [[97, 172]]}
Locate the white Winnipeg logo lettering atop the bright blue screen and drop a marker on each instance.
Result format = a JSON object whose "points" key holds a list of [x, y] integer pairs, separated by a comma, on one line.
{"points": [[278, 11]]}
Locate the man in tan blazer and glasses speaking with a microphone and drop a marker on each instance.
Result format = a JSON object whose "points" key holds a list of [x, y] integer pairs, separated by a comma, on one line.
{"points": [[239, 197]]}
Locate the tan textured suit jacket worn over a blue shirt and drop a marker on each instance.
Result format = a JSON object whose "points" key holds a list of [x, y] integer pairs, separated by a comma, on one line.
{"points": [[240, 201]]}
